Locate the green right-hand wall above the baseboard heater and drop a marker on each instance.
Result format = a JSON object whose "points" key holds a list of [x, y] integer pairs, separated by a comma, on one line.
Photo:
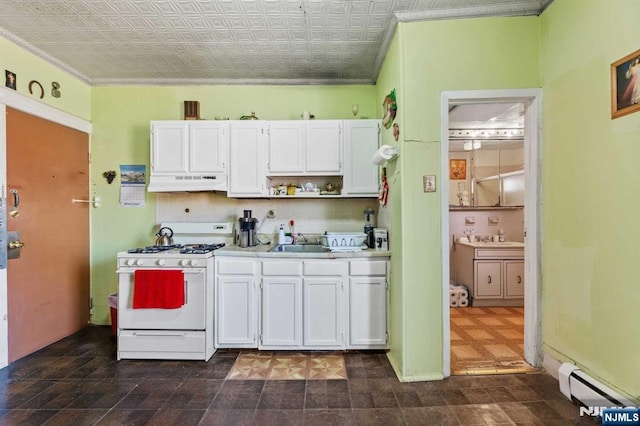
{"points": [[590, 206]]}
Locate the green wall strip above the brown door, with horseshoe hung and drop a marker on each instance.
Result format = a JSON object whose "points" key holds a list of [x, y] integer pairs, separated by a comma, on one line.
{"points": [[75, 96]]}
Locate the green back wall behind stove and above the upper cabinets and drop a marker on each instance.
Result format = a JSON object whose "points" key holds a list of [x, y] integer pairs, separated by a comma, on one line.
{"points": [[121, 117]]}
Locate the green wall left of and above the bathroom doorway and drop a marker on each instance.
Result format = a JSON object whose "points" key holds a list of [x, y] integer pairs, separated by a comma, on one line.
{"points": [[471, 54]]}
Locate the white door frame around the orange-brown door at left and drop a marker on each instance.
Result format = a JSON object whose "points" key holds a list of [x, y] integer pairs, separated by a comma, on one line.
{"points": [[15, 100]]}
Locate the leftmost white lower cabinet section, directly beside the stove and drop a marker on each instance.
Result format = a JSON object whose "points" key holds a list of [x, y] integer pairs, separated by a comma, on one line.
{"points": [[236, 302]]}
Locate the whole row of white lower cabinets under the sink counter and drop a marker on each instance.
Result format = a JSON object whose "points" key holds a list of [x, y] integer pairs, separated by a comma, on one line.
{"points": [[321, 304]]}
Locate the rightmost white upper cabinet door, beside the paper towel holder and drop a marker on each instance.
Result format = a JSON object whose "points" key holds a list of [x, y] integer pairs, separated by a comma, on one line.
{"points": [[361, 140]]}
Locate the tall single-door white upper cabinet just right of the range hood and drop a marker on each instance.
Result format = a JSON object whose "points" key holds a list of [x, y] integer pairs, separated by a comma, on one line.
{"points": [[247, 159]]}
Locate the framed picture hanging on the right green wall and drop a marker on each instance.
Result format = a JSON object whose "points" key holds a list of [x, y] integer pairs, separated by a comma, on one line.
{"points": [[625, 85]]}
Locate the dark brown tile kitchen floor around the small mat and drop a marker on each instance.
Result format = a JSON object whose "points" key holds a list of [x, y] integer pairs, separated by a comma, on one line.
{"points": [[77, 381]]}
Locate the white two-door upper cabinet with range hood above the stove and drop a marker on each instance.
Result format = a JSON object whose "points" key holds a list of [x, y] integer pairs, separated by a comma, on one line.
{"points": [[188, 156]]}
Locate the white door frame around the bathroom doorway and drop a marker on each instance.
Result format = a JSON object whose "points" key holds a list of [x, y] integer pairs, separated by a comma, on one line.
{"points": [[532, 98]]}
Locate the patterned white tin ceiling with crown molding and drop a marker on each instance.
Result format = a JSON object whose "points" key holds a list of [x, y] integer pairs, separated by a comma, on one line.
{"points": [[227, 41]]}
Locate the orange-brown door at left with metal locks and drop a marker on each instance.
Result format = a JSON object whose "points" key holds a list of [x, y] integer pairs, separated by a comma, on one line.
{"points": [[48, 285]]}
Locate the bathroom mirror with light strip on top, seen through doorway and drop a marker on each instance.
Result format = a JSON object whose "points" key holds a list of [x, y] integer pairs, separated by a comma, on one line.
{"points": [[486, 163]]}
